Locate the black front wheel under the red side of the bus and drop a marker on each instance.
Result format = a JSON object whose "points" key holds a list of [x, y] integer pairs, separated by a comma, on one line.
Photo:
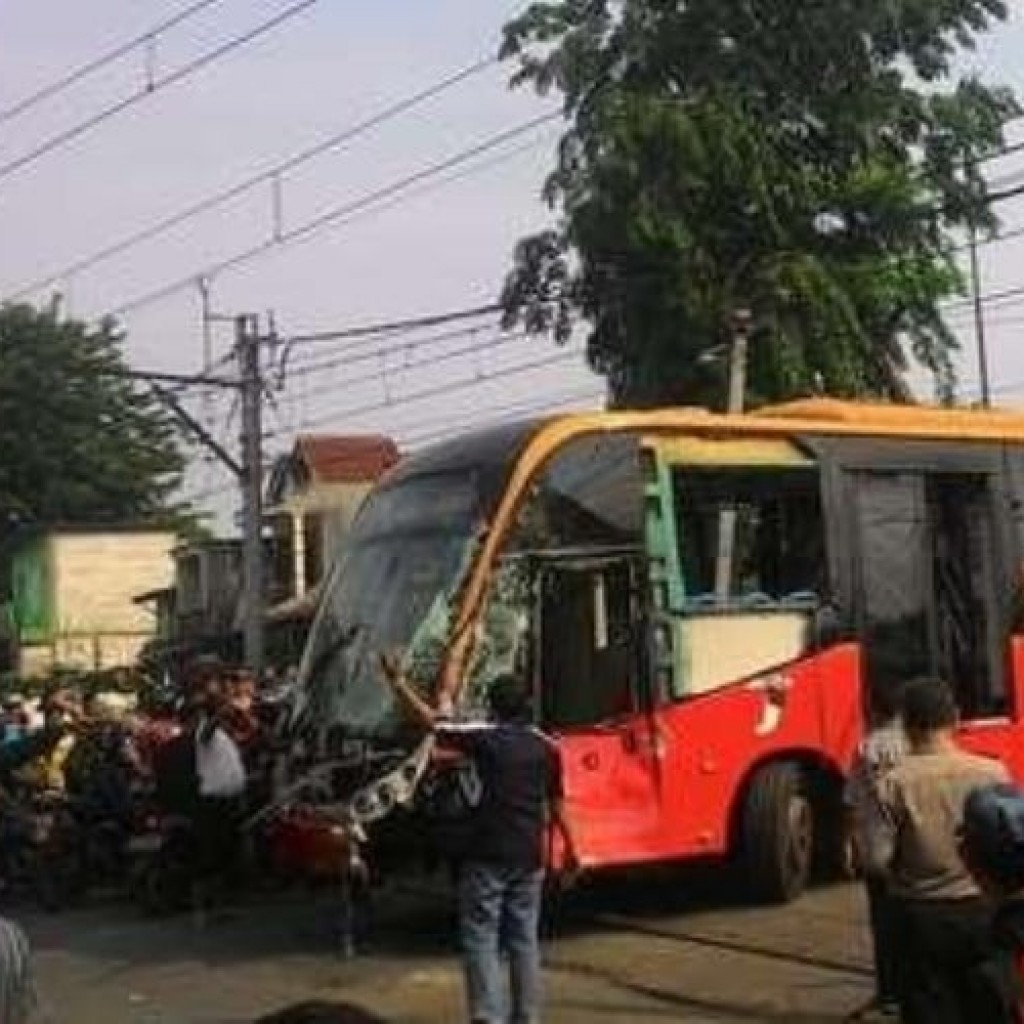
{"points": [[778, 836]]}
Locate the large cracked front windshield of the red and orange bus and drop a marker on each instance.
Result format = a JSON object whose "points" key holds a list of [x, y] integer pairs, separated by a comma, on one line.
{"points": [[395, 587]]}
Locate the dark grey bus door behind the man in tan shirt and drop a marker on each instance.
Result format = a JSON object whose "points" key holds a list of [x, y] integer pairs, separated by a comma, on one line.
{"points": [[930, 579]]}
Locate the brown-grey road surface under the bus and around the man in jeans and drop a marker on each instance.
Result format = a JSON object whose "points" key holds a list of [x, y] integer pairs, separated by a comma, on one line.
{"points": [[667, 948]]}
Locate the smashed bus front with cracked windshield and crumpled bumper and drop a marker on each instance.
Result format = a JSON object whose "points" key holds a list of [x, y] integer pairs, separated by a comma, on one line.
{"points": [[398, 587]]}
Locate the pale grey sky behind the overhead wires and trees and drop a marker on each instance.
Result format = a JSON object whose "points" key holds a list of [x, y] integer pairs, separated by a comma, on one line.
{"points": [[329, 67]]}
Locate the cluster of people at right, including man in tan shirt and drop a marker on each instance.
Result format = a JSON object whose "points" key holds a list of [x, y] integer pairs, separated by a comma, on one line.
{"points": [[938, 835]]}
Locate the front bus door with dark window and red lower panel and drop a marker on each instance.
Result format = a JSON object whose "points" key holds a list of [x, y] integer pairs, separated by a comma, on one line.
{"points": [[590, 663]]}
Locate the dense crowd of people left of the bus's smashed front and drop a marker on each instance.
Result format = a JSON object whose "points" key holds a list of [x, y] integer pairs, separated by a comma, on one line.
{"points": [[108, 765]]}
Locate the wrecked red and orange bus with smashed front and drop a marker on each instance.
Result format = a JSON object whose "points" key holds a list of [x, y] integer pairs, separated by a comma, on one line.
{"points": [[705, 605]]}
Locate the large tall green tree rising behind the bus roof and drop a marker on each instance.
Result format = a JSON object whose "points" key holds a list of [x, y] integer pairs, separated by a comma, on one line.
{"points": [[814, 162]]}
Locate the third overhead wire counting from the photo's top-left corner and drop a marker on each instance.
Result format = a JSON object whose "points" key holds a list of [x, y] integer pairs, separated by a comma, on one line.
{"points": [[270, 176]]}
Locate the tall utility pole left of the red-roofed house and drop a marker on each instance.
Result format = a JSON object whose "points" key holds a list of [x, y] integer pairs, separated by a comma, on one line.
{"points": [[248, 346]]}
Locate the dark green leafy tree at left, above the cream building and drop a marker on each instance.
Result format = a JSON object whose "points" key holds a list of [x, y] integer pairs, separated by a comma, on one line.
{"points": [[79, 442]]}
